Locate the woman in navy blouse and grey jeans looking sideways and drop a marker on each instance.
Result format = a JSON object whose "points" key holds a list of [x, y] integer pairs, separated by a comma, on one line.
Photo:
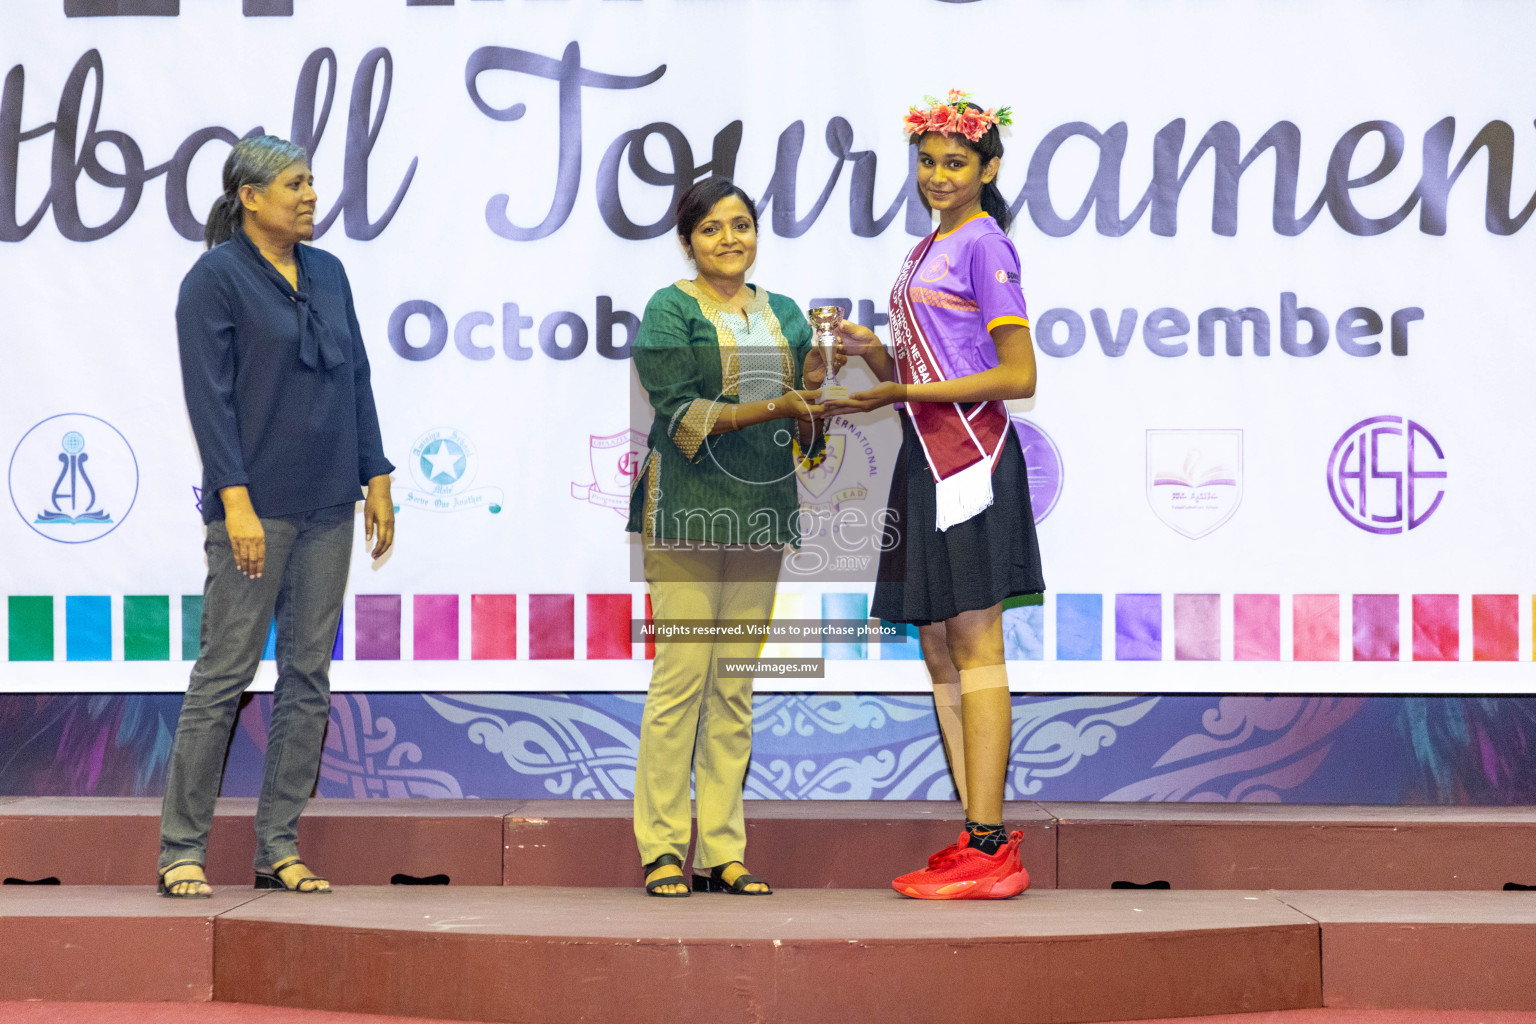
{"points": [[277, 389]]}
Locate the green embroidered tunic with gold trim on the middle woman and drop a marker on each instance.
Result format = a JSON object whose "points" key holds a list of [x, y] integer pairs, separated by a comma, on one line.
{"points": [[695, 360]]}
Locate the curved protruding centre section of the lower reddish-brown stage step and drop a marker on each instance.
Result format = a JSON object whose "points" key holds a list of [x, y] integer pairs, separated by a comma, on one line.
{"points": [[803, 957]]}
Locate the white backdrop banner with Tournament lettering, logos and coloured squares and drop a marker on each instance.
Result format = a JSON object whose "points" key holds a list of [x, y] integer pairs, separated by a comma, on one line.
{"points": [[1277, 259]]}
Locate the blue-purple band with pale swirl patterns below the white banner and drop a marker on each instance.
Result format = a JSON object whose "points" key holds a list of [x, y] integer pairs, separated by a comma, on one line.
{"points": [[816, 747]]}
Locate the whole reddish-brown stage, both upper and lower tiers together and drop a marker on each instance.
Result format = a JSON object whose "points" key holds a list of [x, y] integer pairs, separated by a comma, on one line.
{"points": [[538, 914]]}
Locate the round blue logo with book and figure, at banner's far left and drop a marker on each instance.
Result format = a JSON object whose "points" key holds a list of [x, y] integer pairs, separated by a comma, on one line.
{"points": [[74, 478]]}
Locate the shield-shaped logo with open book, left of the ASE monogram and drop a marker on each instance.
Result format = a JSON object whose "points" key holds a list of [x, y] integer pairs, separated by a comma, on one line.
{"points": [[1194, 478]]}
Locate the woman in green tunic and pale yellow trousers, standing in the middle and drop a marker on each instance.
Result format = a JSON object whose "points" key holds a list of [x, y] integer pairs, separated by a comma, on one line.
{"points": [[727, 368]]}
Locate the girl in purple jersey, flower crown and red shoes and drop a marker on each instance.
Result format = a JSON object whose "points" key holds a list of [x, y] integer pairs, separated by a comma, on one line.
{"points": [[959, 495]]}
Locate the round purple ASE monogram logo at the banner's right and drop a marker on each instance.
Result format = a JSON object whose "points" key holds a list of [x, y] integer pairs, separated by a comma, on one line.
{"points": [[1388, 475]]}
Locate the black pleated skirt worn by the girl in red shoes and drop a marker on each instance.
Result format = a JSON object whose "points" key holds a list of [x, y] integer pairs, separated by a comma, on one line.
{"points": [[930, 576]]}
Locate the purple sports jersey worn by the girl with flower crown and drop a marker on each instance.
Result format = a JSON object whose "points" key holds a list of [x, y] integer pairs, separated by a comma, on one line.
{"points": [[967, 286]]}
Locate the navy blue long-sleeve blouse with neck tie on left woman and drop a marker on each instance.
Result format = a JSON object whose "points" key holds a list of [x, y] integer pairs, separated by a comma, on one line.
{"points": [[277, 382]]}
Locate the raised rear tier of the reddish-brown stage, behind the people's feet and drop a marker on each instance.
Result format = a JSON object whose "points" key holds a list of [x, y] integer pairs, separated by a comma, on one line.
{"points": [[806, 845]]}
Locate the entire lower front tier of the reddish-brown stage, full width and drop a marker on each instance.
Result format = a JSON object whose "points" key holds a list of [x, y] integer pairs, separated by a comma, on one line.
{"points": [[801, 957]]}
